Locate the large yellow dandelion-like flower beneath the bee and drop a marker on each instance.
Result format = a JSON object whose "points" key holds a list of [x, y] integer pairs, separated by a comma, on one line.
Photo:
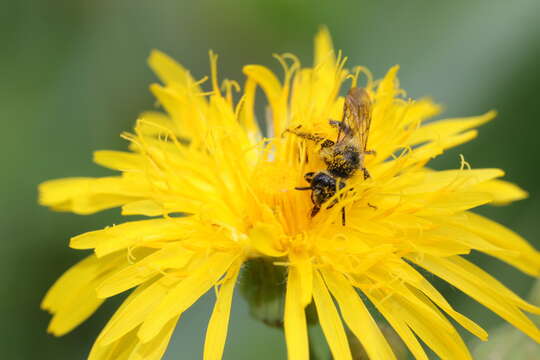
{"points": [[209, 159]]}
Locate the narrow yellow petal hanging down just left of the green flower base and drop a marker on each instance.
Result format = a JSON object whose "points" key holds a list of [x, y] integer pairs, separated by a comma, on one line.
{"points": [[216, 332]]}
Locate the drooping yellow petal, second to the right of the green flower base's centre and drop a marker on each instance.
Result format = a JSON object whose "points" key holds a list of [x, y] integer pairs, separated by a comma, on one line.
{"points": [[330, 321]]}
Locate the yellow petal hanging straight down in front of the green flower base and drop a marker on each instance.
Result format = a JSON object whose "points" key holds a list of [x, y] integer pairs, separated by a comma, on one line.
{"points": [[295, 325]]}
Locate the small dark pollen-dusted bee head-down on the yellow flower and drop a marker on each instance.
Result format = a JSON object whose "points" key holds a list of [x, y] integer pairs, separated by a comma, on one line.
{"points": [[344, 156]]}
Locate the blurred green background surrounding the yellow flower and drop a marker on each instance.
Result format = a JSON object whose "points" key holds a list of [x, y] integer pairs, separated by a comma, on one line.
{"points": [[74, 75]]}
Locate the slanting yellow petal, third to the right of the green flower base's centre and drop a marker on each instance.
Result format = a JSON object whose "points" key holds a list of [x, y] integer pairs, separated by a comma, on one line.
{"points": [[358, 318]]}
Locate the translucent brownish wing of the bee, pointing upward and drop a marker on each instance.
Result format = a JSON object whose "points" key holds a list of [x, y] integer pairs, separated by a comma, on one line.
{"points": [[356, 120]]}
